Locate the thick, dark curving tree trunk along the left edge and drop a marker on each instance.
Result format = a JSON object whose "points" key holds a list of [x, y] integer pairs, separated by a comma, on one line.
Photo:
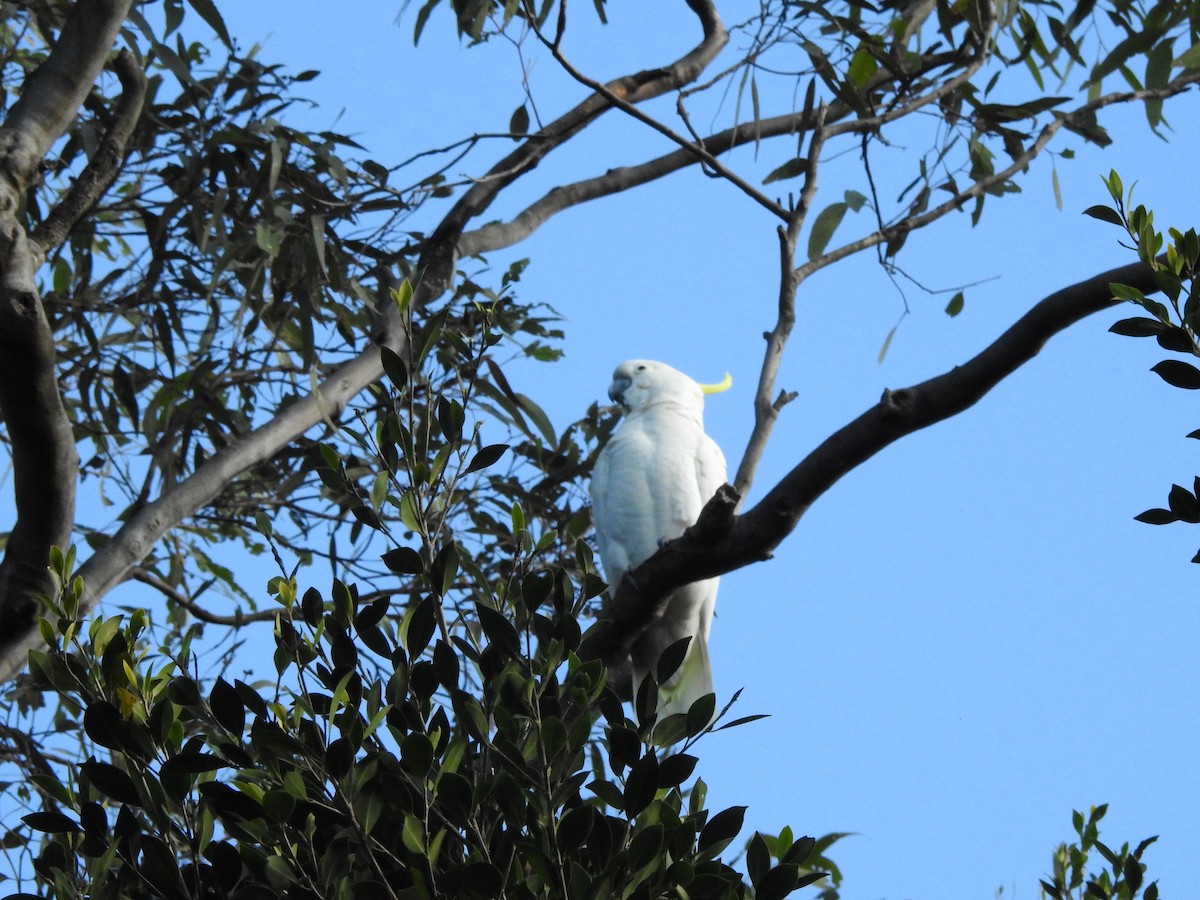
{"points": [[44, 453]]}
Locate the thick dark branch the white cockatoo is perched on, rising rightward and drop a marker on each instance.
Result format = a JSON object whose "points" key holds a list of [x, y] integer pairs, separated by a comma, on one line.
{"points": [[722, 543]]}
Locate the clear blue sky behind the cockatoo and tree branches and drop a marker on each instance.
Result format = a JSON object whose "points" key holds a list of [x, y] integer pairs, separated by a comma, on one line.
{"points": [[969, 637]]}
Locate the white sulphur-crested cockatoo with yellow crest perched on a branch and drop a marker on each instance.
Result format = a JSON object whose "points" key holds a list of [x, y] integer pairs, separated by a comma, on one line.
{"points": [[649, 485]]}
